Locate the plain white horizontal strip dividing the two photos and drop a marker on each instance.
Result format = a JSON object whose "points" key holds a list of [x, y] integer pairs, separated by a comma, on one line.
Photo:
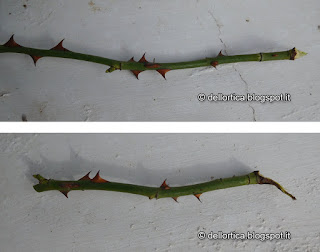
{"points": [[160, 127]]}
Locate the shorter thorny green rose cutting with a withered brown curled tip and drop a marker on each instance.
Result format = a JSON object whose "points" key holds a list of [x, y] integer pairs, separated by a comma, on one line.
{"points": [[154, 192]]}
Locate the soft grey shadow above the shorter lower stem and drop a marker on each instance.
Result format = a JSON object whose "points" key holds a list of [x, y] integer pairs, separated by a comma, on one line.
{"points": [[77, 167]]}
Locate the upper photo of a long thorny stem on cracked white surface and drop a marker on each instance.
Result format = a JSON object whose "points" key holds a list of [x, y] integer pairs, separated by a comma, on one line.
{"points": [[183, 60]]}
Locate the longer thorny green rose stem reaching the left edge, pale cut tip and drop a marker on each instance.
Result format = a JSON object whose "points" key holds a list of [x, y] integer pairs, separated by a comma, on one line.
{"points": [[136, 67]]}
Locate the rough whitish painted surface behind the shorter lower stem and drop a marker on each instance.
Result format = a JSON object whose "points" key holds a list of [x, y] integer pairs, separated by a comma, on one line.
{"points": [[100, 221]]}
